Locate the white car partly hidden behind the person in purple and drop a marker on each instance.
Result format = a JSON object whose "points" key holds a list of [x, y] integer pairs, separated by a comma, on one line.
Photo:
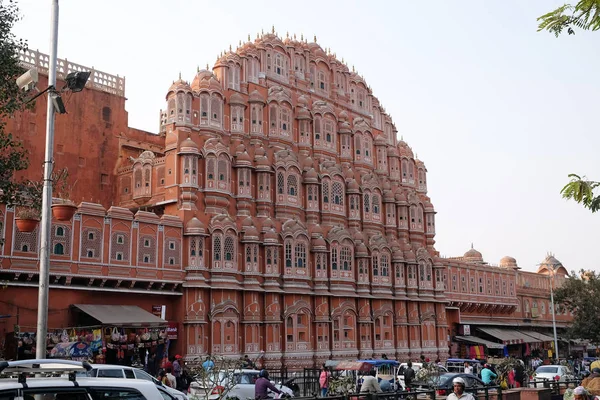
{"points": [[241, 388]]}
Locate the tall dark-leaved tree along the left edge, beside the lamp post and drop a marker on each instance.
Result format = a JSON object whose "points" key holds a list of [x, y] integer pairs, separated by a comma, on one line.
{"points": [[13, 156]]}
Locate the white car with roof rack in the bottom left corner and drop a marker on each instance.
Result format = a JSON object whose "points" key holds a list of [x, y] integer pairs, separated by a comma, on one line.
{"points": [[17, 384]]}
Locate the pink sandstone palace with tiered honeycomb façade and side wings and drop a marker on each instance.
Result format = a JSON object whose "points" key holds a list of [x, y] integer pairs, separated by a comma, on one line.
{"points": [[275, 211]]}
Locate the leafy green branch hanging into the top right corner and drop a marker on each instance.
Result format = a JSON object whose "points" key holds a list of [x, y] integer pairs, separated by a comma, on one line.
{"points": [[584, 15]]}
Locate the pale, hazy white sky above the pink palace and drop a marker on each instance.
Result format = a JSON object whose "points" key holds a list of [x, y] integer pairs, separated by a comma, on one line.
{"points": [[499, 112]]}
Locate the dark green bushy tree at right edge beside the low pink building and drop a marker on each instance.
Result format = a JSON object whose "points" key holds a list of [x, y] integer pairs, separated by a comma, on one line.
{"points": [[580, 294]]}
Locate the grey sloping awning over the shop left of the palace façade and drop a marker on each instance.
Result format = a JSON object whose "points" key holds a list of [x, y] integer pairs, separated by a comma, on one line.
{"points": [[121, 315]]}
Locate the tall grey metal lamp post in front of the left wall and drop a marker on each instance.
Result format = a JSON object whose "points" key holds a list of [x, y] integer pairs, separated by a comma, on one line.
{"points": [[43, 292]]}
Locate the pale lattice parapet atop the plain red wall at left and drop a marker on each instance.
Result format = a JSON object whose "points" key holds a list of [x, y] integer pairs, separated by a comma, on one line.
{"points": [[98, 80]]}
